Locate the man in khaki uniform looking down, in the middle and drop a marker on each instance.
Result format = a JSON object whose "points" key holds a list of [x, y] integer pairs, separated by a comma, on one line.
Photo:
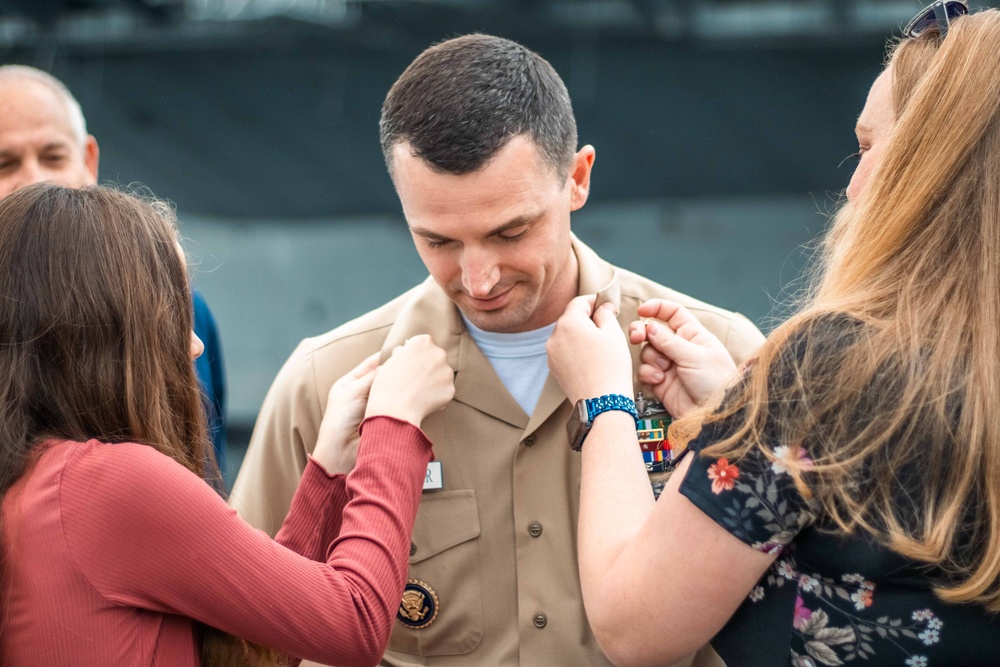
{"points": [[480, 141]]}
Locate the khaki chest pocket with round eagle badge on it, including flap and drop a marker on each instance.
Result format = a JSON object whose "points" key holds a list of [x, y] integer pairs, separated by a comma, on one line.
{"points": [[444, 559]]}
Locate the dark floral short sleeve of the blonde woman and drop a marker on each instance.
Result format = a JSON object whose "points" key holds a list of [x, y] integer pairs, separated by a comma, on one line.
{"points": [[754, 498]]}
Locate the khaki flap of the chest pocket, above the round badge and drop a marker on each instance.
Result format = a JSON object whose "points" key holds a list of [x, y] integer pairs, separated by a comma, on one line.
{"points": [[444, 519]]}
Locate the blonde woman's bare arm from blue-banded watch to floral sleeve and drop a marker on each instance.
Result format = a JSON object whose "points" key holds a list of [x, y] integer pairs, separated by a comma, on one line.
{"points": [[702, 573]]}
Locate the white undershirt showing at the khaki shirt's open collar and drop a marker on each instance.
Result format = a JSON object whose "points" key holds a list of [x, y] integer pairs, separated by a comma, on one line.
{"points": [[519, 360]]}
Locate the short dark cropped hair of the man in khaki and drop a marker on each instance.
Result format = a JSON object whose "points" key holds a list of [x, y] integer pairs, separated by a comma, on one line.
{"points": [[463, 100]]}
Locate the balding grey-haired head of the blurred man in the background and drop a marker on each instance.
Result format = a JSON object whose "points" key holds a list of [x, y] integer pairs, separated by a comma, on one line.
{"points": [[43, 136]]}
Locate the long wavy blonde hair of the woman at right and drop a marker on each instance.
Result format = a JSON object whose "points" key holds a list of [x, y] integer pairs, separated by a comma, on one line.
{"points": [[887, 375]]}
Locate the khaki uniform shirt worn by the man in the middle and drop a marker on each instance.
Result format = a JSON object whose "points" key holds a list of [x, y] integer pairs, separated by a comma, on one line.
{"points": [[497, 544]]}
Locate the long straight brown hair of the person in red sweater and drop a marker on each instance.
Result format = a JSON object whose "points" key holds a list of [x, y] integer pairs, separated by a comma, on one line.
{"points": [[95, 334]]}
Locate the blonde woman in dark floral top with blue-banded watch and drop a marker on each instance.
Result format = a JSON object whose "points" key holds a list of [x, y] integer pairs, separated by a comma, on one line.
{"points": [[838, 501]]}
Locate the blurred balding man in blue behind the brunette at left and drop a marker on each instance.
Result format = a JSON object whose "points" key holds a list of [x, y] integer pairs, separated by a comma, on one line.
{"points": [[43, 137]]}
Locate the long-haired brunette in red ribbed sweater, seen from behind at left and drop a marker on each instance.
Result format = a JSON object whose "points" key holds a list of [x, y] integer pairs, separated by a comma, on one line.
{"points": [[115, 551]]}
